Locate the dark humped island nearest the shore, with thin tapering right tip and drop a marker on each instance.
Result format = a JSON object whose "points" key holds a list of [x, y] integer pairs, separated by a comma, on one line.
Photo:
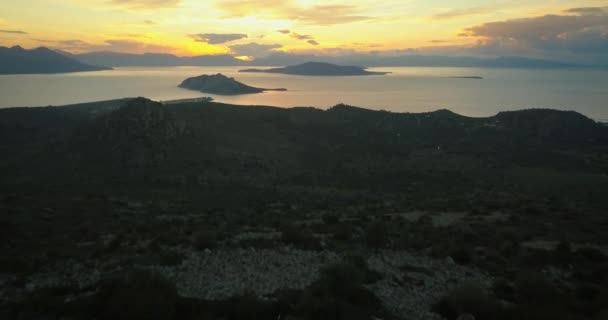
{"points": [[222, 85]]}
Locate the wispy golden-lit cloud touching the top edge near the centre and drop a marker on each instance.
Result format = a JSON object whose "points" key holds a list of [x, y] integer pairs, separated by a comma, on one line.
{"points": [[289, 9]]}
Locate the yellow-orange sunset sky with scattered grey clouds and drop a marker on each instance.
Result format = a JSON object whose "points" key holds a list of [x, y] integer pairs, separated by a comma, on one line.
{"points": [[572, 30]]}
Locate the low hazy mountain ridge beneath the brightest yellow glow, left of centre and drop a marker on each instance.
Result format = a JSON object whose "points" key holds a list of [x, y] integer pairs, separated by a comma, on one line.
{"points": [[116, 59]]}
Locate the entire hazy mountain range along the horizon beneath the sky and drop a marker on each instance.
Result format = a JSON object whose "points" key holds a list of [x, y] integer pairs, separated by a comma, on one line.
{"points": [[16, 60]]}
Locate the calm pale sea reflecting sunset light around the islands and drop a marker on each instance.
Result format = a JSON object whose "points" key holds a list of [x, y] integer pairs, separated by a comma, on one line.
{"points": [[405, 90]]}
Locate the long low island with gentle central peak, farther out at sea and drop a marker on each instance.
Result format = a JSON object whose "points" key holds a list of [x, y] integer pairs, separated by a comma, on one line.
{"points": [[318, 69]]}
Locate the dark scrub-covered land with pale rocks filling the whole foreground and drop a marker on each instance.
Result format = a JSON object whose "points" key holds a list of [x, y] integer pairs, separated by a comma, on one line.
{"points": [[131, 209]]}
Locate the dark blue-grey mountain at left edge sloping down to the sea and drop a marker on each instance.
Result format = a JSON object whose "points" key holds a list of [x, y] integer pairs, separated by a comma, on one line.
{"points": [[17, 60]]}
